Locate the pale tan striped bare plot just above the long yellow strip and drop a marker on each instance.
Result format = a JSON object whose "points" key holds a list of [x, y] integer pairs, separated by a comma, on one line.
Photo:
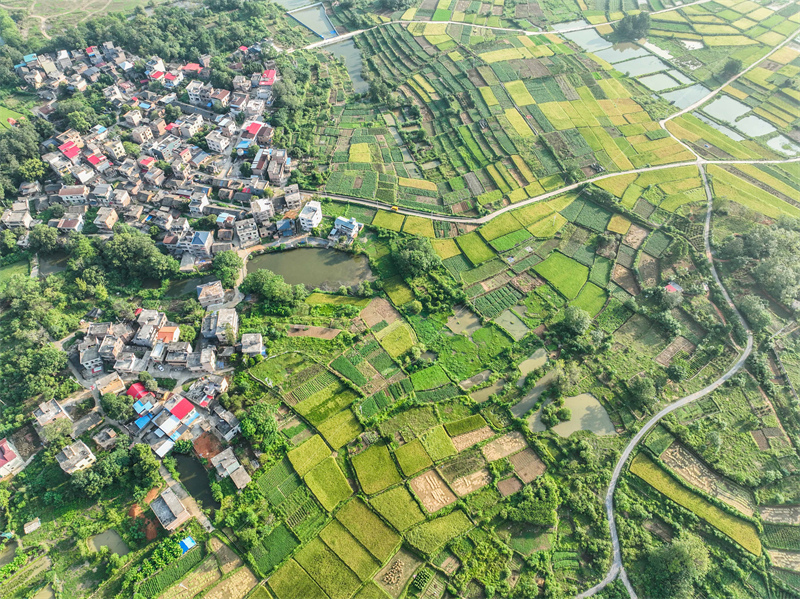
{"points": [[696, 473]]}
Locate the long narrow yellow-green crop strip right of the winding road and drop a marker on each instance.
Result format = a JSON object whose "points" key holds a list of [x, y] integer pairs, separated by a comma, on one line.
{"points": [[742, 532]]}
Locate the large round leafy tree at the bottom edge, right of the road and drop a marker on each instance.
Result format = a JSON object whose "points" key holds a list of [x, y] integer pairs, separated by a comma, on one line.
{"points": [[676, 568]]}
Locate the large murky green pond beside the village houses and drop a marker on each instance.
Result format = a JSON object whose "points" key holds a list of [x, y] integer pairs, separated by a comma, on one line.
{"points": [[315, 267]]}
